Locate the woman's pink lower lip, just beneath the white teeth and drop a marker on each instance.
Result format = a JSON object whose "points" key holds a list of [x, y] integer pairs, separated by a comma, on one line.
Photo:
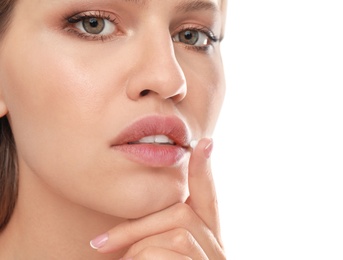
{"points": [[153, 155]]}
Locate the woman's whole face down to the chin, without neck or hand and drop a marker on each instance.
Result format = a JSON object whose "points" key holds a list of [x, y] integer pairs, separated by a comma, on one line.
{"points": [[82, 82]]}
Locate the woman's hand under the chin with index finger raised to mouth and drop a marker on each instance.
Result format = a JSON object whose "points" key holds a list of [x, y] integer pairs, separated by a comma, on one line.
{"points": [[183, 231]]}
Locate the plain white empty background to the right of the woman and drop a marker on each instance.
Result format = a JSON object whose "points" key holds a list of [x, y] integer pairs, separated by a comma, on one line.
{"points": [[278, 158]]}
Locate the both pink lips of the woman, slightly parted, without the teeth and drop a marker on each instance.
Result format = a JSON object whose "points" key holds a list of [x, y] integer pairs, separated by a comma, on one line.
{"points": [[154, 155]]}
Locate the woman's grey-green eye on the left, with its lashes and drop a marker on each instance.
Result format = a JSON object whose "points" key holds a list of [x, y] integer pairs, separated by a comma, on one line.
{"points": [[95, 25]]}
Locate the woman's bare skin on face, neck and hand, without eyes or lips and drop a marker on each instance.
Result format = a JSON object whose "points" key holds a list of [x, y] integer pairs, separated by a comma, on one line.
{"points": [[68, 96]]}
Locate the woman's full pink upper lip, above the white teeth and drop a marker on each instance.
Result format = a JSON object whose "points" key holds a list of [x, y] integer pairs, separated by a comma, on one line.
{"points": [[171, 126]]}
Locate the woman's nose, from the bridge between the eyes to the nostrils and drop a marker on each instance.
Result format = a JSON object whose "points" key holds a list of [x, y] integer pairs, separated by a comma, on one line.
{"points": [[156, 71]]}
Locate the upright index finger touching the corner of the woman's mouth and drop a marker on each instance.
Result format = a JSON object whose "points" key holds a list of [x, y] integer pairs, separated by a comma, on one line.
{"points": [[203, 198]]}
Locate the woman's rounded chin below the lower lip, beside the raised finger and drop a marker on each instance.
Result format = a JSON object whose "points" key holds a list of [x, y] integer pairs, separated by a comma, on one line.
{"points": [[137, 191]]}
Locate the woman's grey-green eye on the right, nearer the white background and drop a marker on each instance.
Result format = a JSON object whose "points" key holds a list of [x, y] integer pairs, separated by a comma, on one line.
{"points": [[195, 37]]}
